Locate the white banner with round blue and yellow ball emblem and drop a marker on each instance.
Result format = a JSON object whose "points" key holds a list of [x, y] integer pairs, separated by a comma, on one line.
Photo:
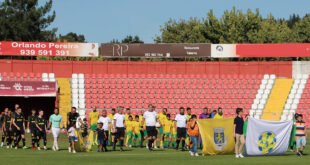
{"points": [[267, 137]]}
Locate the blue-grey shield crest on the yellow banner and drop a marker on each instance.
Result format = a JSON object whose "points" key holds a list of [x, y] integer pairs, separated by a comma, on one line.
{"points": [[219, 138]]}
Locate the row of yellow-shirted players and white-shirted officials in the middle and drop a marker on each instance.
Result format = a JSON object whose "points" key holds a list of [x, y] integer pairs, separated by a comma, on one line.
{"points": [[137, 128]]}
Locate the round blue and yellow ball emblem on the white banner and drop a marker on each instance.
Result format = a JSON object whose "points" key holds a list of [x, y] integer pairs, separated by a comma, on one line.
{"points": [[267, 142]]}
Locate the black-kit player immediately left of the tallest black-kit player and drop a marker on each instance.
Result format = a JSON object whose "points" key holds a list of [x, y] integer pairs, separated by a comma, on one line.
{"points": [[6, 128]]}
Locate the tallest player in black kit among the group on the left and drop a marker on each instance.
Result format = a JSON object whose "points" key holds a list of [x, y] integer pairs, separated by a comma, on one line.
{"points": [[18, 127]]}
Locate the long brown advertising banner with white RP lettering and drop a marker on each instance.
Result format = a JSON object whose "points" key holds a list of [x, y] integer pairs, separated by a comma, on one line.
{"points": [[155, 50]]}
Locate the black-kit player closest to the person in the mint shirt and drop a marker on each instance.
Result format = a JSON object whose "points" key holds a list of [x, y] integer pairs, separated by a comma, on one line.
{"points": [[41, 126]]}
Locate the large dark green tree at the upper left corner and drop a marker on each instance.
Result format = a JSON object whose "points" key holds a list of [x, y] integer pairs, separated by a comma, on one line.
{"points": [[26, 21]]}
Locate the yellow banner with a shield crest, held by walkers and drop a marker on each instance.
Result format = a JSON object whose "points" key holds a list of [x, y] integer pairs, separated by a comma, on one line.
{"points": [[217, 136]]}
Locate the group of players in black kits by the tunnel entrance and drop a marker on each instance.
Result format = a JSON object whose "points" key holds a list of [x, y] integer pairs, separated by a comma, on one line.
{"points": [[14, 128]]}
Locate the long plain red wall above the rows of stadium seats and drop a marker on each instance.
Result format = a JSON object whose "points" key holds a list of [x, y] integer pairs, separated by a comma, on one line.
{"points": [[66, 68]]}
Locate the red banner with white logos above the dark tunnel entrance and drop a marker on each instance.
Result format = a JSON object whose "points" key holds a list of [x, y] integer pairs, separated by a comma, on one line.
{"points": [[22, 88]]}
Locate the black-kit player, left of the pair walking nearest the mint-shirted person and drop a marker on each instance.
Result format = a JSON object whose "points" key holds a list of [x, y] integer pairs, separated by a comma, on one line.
{"points": [[32, 127]]}
